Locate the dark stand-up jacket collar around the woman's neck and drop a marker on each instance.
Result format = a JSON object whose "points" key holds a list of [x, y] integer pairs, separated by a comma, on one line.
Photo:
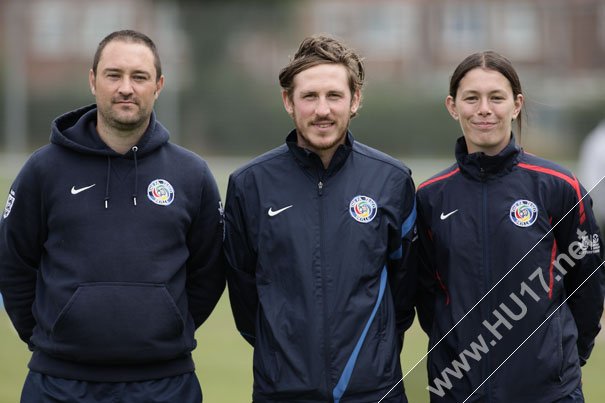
{"points": [[481, 166]]}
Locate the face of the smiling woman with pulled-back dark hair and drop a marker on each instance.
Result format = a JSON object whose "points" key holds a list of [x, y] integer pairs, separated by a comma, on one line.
{"points": [[485, 107]]}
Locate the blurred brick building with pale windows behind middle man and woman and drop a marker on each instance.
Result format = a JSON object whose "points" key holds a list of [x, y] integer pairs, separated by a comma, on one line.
{"points": [[407, 37]]}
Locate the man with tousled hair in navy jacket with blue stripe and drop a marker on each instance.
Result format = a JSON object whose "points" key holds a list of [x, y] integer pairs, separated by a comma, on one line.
{"points": [[317, 238]]}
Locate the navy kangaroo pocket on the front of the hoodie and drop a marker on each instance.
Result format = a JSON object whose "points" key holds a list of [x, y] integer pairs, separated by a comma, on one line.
{"points": [[119, 322]]}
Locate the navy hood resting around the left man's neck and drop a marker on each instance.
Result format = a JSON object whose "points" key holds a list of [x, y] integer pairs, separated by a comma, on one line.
{"points": [[77, 131]]}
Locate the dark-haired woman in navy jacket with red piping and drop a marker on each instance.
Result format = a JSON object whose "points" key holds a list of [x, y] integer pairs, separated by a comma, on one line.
{"points": [[511, 285]]}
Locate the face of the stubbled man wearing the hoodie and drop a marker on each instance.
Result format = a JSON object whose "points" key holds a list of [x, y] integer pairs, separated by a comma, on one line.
{"points": [[125, 86]]}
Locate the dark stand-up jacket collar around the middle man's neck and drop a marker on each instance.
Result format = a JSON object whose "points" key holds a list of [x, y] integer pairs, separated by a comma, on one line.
{"points": [[310, 160]]}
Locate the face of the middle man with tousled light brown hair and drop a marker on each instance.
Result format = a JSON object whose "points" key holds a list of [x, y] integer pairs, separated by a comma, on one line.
{"points": [[321, 107]]}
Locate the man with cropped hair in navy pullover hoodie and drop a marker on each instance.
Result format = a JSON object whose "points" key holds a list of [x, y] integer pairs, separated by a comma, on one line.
{"points": [[110, 245]]}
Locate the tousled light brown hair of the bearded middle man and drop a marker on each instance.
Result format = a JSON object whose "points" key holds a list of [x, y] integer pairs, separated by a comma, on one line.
{"points": [[319, 49]]}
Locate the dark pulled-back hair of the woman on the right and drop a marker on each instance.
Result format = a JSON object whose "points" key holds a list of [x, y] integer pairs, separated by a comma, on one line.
{"points": [[492, 61]]}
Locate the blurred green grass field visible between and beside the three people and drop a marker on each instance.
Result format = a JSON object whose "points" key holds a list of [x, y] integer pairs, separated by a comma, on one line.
{"points": [[223, 358]]}
